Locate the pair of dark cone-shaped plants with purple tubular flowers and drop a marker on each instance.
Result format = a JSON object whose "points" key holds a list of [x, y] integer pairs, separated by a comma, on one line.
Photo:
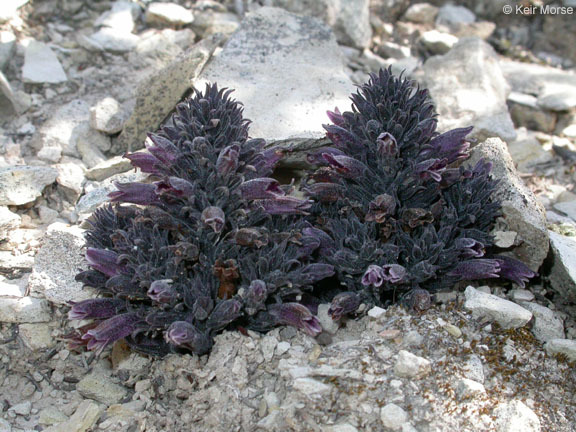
{"points": [[212, 241]]}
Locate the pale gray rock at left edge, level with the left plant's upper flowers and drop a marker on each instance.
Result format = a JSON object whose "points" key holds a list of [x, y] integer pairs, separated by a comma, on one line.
{"points": [[23, 184]]}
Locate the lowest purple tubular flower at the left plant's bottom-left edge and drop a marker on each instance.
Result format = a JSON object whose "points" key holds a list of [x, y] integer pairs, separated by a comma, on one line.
{"points": [[111, 330]]}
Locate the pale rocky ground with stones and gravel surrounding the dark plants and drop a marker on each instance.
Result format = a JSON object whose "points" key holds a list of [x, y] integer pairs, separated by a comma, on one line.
{"points": [[82, 82]]}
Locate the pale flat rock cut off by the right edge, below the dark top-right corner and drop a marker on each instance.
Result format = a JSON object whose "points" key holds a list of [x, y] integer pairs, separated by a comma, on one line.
{"points": [[555, 89]]}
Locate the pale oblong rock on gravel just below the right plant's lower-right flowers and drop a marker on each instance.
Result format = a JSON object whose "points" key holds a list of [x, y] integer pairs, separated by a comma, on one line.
{"points": [[494, 308]]}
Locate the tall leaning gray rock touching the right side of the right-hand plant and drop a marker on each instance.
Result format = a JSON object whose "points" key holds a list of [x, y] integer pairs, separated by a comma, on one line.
{"points": [[522, 211]]}
